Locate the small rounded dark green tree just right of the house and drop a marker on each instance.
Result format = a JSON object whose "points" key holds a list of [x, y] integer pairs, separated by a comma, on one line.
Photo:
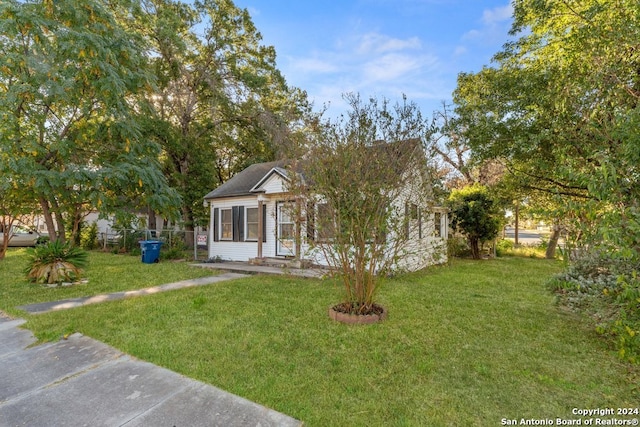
{"points": [[475, 214]]}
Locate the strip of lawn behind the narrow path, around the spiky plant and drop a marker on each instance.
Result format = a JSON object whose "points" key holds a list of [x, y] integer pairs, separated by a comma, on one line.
{"points": [[106, 273]]}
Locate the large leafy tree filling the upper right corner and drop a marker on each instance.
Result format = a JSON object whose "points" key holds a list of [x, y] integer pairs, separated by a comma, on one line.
{"points": [[560, 105]]}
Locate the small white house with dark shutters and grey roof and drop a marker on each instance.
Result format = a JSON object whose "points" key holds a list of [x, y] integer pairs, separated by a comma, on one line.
{"points": [[250, 220]]}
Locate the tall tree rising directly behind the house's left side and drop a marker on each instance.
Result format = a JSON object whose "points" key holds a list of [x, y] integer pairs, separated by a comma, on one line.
{"points": [[221, 103]]}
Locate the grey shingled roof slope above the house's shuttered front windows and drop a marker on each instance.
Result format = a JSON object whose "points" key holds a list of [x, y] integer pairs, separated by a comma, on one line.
{"points": [[248, 181]]}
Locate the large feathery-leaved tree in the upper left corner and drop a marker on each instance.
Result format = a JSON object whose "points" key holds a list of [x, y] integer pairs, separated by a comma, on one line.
{"points": [[71, 77]]}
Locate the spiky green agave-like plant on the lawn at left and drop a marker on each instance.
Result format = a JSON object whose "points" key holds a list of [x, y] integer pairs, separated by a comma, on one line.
{"points": [[55, 262]]}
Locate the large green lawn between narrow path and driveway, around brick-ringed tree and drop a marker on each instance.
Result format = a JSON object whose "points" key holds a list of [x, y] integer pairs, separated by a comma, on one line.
{"points": [[464, 345]]}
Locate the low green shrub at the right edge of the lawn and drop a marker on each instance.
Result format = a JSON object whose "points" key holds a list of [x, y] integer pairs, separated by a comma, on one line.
{"points": [[605, 287]]}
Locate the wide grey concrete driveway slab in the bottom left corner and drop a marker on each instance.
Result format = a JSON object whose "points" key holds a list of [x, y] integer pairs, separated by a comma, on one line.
{"points": [[83, 382]]}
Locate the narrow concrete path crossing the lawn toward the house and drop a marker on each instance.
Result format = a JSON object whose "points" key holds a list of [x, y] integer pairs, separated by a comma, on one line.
{"points": [[45, 307]]}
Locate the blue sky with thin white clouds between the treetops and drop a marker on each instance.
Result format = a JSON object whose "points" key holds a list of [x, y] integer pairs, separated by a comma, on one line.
{"points": [[382, 48]]}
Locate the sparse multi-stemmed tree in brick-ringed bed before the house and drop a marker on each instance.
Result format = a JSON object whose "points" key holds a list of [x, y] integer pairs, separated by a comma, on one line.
{"points": [[357, 176]]}
